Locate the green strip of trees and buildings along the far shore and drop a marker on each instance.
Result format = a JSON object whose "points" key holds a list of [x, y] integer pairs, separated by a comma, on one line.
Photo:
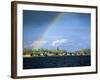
{"points": [[54, 52]]}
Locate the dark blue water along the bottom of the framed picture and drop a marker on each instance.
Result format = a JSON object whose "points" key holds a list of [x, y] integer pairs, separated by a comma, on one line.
{"points": [[56, 61]]}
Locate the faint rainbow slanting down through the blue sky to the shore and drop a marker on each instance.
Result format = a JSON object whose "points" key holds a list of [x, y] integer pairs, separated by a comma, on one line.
{"points": [[49, 26]]}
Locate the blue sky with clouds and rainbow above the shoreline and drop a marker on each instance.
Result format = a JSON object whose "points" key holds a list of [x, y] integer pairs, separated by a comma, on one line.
{"points": [[66, 30]]}
